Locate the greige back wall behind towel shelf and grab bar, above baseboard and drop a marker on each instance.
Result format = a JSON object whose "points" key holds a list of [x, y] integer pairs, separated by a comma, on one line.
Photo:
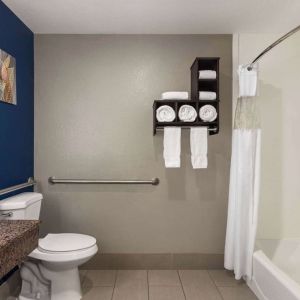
{"points": [[93, 119]]}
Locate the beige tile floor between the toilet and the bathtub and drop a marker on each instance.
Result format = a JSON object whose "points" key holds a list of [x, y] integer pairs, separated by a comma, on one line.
{"points": [[162, 285]]}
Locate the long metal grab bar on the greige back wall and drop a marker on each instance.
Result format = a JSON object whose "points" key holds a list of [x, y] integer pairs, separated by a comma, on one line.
{"points": [[53, 180]]}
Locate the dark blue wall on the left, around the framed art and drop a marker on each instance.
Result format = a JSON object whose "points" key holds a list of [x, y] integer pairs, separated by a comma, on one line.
{"points": [[16, 122]]}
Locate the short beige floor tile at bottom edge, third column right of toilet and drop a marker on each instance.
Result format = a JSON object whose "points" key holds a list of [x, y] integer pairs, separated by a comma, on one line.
{"points": [[166, 293]]}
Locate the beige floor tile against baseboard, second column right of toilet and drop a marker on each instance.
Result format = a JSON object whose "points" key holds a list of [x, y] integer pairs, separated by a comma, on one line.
{"points": [[131, 285]]}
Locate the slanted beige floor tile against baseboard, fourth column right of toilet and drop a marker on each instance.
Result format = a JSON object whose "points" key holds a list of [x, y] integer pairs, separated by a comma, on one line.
{"points": [[198, 285]]}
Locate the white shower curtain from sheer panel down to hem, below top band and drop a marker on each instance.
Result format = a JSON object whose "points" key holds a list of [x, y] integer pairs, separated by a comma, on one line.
{"points": [[243, 189]]}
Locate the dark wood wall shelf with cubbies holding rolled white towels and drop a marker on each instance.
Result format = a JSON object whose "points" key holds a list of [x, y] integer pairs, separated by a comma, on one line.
{"points": [[197, 85]]}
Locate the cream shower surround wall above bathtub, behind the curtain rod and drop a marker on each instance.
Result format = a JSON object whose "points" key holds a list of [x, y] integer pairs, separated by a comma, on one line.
{"points": [[280, 115]]}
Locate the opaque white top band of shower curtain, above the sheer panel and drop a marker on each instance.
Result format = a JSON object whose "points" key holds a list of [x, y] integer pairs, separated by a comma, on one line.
{"points": [[247, 81]]}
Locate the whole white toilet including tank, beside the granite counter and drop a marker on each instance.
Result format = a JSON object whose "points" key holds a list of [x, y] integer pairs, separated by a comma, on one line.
{"points": [[52, 270]]}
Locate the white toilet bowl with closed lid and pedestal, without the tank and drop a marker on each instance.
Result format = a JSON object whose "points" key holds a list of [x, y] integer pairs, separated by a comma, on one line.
{"points": [[59, 256]]}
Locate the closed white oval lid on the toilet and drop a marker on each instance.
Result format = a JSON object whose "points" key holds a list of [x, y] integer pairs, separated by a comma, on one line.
{"points": [[63, 242]]}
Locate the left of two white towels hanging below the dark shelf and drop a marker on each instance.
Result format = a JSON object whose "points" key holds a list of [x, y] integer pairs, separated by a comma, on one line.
{"points": [[172, 143]]}
